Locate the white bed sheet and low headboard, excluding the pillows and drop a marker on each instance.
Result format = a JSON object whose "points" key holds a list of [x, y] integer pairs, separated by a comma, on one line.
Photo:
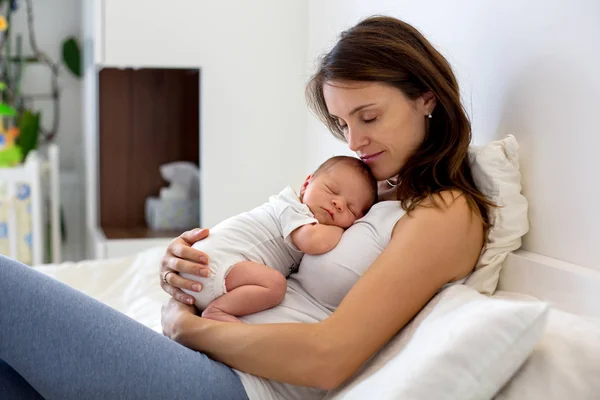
{"points": [[563, 362]]}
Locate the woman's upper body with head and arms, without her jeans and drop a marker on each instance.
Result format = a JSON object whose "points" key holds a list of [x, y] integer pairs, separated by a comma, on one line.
{"points": [[394, 99]]}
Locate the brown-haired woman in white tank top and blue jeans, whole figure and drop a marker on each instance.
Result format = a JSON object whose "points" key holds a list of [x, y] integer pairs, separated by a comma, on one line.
{"points": [[394, 99]]}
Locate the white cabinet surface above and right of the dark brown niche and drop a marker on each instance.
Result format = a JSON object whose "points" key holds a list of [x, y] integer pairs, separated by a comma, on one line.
{"points": [[252, 61]]}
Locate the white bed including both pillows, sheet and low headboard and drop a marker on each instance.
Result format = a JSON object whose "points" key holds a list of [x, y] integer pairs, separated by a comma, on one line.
{"points": [[523, 326]]}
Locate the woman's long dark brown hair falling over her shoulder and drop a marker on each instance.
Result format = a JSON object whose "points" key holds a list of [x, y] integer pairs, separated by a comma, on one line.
{"points": [[387, 50]]}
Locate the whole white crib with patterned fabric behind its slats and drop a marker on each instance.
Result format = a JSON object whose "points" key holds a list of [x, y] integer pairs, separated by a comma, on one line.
{"points": [[30, 229]]}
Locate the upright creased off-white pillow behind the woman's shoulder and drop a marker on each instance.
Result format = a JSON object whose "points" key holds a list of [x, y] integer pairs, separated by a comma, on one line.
{"points": [[495, 170]]}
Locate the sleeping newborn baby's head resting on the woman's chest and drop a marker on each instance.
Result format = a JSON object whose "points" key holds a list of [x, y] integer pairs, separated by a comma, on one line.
{"points": [[340, 191]]}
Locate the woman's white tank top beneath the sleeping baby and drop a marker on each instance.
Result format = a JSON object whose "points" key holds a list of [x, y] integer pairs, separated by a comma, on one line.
{"points": [[319, 286]]}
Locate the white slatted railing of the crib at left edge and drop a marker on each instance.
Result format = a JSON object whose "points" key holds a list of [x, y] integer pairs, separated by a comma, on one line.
{"points": [[41, 176]]}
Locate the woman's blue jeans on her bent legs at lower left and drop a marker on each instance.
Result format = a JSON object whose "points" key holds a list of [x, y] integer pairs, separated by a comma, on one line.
{"points": [[57, 343]]}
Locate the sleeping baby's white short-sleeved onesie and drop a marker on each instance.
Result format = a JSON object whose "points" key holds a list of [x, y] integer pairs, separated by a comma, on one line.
{"points": [[261, 235]]}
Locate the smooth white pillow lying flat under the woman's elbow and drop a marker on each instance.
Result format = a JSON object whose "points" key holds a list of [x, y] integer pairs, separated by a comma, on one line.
{"points": [[462, 345]]}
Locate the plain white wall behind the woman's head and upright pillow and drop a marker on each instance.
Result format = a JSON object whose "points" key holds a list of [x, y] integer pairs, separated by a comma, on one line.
{"points": [[527, 68]]}
